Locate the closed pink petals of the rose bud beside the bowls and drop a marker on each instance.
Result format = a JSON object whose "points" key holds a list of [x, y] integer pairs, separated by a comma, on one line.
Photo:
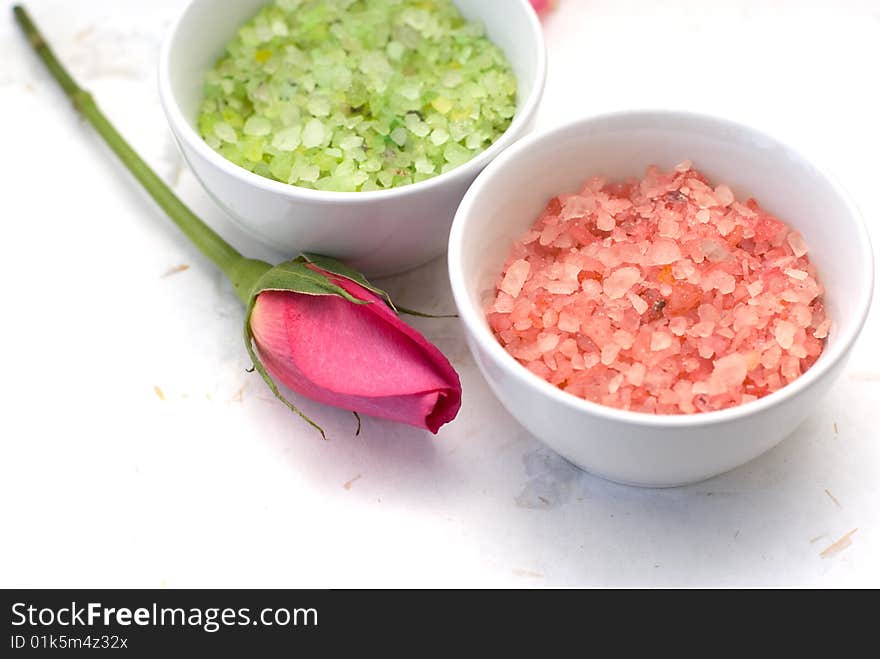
{"points": [[360, 357]]}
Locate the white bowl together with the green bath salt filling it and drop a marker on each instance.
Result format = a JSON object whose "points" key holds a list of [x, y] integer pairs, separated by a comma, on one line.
{"points": [[349, 127]]}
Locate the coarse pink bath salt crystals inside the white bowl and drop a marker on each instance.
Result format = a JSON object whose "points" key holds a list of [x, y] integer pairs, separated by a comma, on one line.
{"points": [[662, 294]]}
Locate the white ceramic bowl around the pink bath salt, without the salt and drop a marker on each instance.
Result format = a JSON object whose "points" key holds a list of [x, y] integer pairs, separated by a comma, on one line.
{"points": [[630, 447]]}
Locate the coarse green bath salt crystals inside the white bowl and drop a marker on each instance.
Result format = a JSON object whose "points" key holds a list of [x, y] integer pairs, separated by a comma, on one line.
{"points": [[357, 95]]}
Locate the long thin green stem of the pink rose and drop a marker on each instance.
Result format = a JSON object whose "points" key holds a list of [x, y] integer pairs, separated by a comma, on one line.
{"points": [[243, 272]]}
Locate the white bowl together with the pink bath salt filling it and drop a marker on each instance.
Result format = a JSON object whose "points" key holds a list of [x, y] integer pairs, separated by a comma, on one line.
{"points": [[659, 296]]}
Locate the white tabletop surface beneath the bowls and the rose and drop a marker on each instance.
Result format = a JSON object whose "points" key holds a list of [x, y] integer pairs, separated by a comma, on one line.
{"points": [[104, 484]]}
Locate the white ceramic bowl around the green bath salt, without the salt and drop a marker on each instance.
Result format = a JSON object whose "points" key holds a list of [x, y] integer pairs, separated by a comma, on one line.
{"points": [[380, 232]]}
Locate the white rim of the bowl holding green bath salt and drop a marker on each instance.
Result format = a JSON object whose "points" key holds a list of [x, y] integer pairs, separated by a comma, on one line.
{"points": [[458, 175]]}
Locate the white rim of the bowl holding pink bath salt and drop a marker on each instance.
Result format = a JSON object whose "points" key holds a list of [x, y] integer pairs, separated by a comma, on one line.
{"points": [[474, 318]]}
